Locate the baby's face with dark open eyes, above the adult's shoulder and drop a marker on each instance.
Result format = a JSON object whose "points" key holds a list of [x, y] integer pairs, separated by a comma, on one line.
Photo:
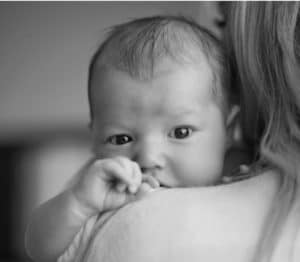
{"points": [[170, 125]]}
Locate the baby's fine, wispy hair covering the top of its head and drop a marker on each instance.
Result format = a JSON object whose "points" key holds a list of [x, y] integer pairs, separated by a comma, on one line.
{"points": [[137, 46]]}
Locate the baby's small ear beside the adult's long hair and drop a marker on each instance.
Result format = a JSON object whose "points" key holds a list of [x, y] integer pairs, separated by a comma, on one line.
{"points": [[234, 135]]}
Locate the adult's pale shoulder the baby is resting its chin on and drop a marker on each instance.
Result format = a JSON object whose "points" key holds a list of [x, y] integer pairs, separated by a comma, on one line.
{"points": [[221, 223]]}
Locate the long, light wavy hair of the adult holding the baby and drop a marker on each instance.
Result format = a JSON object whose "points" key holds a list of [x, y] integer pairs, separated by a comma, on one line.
{"points": [[264, 38]]}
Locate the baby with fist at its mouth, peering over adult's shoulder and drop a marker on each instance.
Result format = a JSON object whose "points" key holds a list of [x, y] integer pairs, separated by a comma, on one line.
{"points": [[161, 117]]}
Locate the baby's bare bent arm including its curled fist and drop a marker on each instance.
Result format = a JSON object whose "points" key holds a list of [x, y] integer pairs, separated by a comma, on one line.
{"points": [[107, 184]]}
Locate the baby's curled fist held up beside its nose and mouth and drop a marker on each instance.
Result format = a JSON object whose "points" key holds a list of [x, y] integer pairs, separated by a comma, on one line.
{"points": [[107, 184]]}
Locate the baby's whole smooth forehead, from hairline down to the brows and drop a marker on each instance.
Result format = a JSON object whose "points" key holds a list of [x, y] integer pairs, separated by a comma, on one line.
{"points": [[174, 91]]}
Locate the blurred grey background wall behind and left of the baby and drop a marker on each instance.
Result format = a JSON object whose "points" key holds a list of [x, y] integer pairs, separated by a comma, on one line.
{"points": [[44, 54]]}
